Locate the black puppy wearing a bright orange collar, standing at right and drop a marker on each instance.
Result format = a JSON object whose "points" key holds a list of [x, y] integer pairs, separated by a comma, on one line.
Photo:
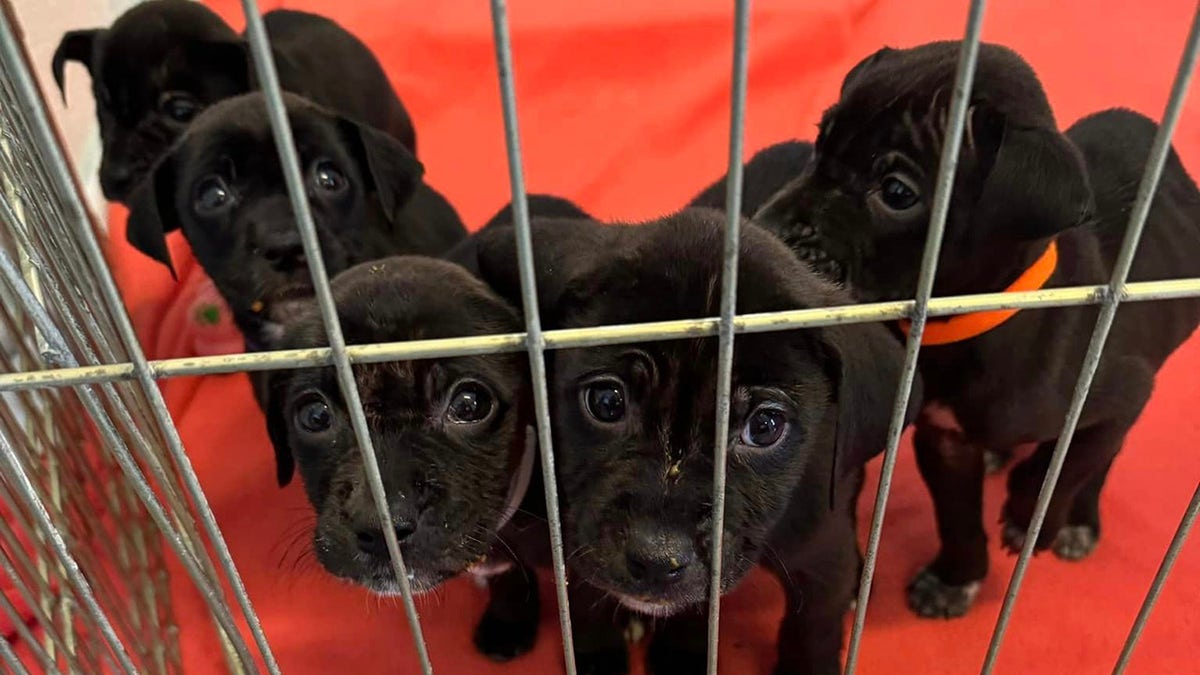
{"points": [[1031, 207]]}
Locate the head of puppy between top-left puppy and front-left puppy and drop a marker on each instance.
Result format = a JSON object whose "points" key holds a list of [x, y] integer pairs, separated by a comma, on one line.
{"points": [[224, 187]]}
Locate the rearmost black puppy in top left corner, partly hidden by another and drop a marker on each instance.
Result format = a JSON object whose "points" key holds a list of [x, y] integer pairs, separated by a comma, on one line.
{"points": [[164, 62]]}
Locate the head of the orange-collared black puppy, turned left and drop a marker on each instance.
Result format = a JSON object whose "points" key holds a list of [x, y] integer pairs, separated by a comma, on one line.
{"points": [[861, 210]]}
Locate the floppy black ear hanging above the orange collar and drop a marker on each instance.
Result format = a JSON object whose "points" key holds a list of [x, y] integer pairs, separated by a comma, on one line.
{"points": [[1037, 186]]}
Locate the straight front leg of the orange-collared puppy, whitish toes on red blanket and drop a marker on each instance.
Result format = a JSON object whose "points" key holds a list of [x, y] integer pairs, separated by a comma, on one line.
{"points": [[953, 471]]}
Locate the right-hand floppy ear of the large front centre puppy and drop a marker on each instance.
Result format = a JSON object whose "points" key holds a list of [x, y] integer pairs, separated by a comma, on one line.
{"points": [[867, 362]]}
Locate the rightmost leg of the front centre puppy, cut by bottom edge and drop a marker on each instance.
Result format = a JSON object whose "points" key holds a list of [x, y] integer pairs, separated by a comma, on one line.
{"points": [[820, 590]]}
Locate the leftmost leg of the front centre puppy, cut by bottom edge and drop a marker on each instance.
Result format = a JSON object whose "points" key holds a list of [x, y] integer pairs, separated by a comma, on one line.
{"points": [[599, 641]]}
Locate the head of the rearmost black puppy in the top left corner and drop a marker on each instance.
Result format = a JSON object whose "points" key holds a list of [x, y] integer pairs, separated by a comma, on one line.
{"points": [[152, 74]]}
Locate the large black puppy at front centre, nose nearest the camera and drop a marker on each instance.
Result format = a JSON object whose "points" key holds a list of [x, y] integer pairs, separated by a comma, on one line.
{"points": [[634, 434]]}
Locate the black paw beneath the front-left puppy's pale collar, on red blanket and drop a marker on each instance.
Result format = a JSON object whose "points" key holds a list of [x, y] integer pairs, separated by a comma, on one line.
{"points": [[509, 626]]}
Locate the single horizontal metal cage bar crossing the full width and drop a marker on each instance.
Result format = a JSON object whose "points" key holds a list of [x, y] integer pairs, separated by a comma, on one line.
{"points": [[575, 338]]}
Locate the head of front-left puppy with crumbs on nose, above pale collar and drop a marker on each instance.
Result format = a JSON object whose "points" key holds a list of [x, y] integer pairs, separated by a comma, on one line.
{"points": [[447, 432]]}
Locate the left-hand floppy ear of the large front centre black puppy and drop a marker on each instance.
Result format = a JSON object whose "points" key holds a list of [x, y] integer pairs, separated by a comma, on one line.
{"points": [[565, 252]]}
